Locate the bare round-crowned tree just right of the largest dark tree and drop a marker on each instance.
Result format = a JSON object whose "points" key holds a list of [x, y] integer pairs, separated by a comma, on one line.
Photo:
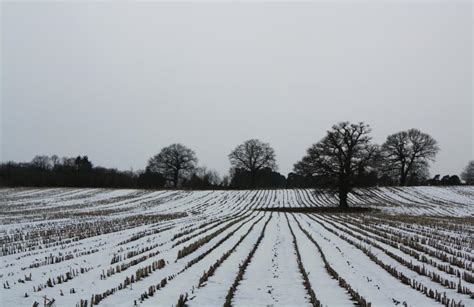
{"points": [[404, 150]]}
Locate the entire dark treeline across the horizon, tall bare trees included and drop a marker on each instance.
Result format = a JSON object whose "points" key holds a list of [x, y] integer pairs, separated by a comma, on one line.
{"points": [[343, 159]]}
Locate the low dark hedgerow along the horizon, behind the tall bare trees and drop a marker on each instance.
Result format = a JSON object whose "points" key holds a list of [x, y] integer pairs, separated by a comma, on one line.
{"points": [[44, 171]]}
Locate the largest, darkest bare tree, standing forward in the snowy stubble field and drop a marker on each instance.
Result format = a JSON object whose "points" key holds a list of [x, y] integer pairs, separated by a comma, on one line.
{"points": [[344, 151]]}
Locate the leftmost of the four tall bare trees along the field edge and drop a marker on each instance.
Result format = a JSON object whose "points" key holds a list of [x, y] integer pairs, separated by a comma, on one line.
{"points": [[173, 162]]}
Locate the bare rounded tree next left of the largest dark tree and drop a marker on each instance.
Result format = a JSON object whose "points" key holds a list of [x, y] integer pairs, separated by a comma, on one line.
{"points": [[252, 156]]}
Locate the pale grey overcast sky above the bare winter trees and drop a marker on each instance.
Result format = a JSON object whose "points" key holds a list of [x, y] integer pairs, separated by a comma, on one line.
{"points": [[118, 81]]}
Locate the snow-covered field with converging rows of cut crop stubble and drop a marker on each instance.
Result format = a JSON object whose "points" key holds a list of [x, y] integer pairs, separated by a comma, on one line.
{"points": [[85, 247]]}
